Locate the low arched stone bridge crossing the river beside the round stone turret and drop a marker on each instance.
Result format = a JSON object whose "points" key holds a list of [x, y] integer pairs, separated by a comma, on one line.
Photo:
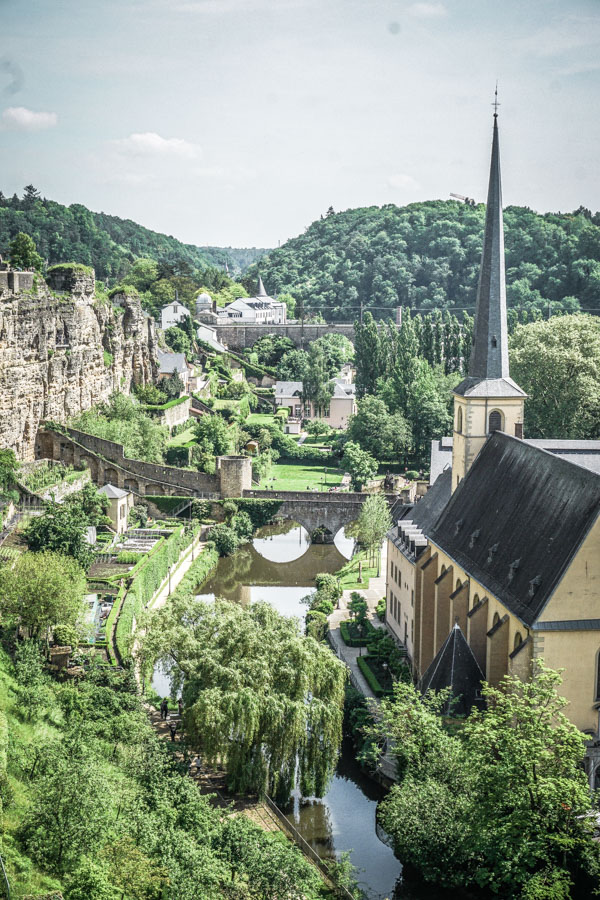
{"points": [[316, 510]]}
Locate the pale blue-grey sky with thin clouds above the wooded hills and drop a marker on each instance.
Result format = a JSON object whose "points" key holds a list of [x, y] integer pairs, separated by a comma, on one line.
{"points": [[239, 122]]}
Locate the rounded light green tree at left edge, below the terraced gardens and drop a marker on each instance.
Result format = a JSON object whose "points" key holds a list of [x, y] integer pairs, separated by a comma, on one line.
{"points": [[42, 590]]}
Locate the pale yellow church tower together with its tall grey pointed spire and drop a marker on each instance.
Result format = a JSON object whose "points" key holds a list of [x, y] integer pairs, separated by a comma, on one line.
{"points": [[487, 399]]}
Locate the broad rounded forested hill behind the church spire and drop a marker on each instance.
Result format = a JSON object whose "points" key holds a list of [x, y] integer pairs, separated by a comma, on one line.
{"points": [[427, 255]]}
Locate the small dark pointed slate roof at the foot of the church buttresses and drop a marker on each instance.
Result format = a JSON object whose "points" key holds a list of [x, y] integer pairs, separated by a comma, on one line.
{"points": [[455, 667]]}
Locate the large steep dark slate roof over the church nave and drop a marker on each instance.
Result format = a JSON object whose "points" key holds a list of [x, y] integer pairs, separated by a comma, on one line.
{"points": [[516, 520]]}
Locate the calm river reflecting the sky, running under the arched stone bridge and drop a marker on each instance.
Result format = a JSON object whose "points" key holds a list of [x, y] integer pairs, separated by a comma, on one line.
{"points": [[279, 567]]}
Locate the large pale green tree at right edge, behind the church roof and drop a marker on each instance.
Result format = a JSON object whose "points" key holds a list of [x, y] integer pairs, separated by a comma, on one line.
{"points": [[557, 363]]}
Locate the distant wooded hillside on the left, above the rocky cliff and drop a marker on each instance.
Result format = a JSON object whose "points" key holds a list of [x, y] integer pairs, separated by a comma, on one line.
{"points": [[109, 244]]}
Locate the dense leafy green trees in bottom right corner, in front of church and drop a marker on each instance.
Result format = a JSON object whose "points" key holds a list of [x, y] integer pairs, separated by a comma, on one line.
{"points": [[502, 802]]}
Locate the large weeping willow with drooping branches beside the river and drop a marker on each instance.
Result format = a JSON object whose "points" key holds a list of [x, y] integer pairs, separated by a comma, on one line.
{"points": [[259, 697]]}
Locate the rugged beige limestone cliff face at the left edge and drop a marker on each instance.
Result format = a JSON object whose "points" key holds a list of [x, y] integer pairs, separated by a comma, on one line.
{"points": [[62, 352]]}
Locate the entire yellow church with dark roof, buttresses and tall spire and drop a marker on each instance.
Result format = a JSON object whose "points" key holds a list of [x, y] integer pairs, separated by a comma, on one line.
{"points": [[499, 563]]}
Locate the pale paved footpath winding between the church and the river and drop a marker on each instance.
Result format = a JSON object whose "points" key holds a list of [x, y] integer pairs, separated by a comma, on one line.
{"points": [[350, 655]]}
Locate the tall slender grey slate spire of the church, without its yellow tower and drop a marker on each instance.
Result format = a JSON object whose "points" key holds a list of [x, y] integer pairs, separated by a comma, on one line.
{"points": [[489, 355]]}
